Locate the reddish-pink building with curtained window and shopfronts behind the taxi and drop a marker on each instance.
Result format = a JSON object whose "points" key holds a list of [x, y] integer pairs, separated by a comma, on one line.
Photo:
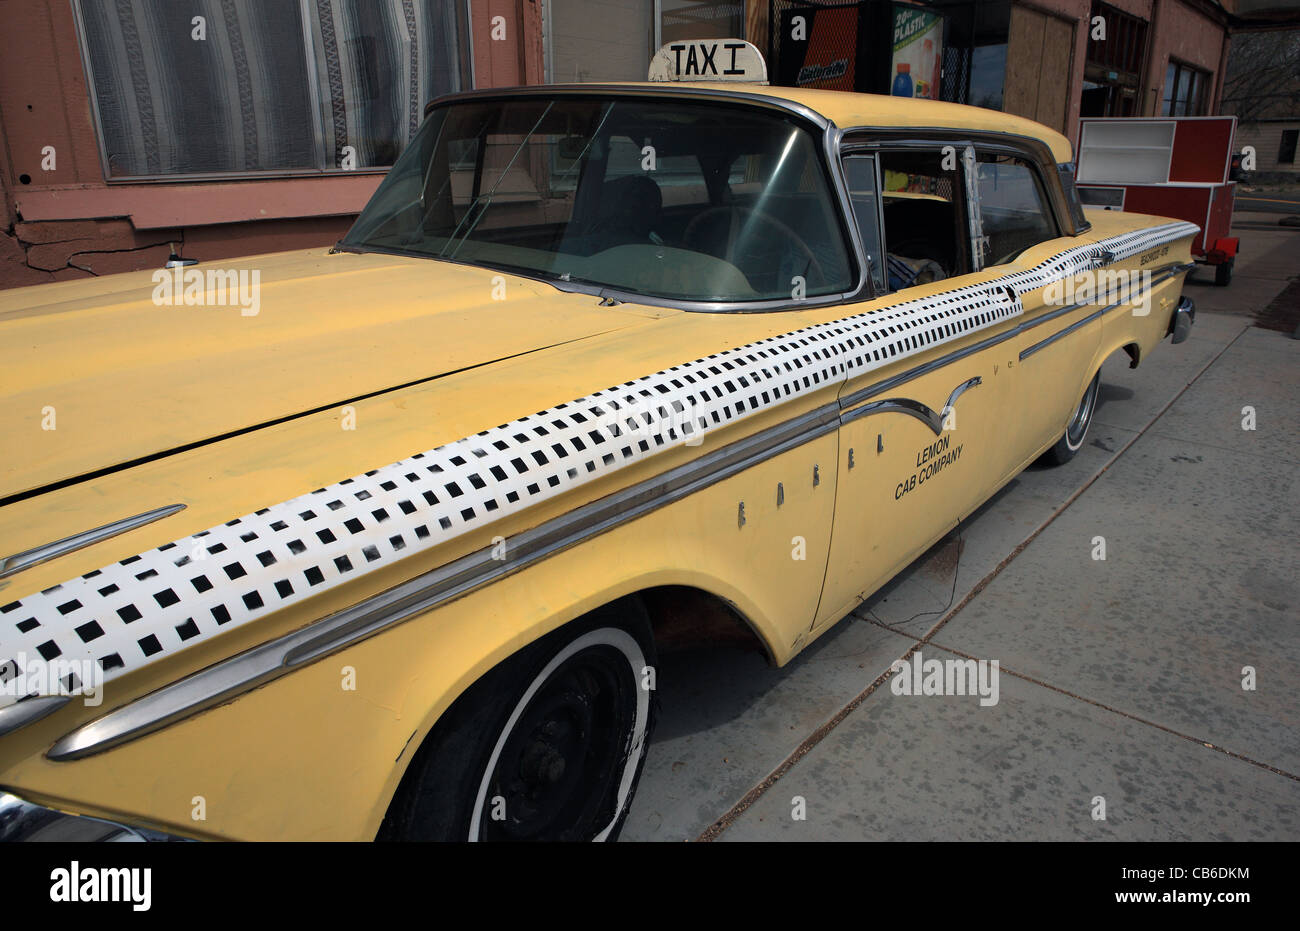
{"points": [[235, 127]]}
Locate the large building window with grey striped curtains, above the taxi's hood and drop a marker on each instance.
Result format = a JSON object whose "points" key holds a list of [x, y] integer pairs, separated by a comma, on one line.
{"points": [[241, 86]]}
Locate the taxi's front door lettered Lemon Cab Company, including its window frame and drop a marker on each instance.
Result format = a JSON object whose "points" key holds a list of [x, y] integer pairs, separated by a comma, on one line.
{"points": [[926, 419]]}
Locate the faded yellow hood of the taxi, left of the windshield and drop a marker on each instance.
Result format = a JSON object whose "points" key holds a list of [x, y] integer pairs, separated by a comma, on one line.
{"points": [[105, 373]]}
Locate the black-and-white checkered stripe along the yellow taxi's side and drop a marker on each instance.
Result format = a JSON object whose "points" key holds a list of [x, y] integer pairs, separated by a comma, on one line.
{"points": [[135, 612]]}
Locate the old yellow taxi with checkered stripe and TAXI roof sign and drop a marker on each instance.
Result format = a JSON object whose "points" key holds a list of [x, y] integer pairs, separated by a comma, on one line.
{"points": [[387, 545]]}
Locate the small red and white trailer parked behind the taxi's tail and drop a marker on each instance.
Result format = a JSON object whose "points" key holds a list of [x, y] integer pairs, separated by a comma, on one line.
{"points": [[1173, 167]]}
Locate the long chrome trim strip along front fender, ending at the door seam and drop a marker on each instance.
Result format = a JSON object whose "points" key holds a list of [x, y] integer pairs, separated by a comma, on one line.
{"points": [[245, 672]]}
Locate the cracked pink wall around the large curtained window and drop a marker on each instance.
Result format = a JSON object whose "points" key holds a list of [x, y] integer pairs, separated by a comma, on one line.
{"points": [[71, 223]]}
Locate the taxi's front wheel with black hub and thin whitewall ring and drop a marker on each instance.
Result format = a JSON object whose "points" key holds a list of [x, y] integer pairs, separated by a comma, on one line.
{"points": [[549, 746]]}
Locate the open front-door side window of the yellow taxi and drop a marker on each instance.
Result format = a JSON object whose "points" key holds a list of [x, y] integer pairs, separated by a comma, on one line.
{"points": [[922, 205]]}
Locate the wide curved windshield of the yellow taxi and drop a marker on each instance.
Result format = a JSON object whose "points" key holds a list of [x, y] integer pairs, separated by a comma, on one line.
{"points": [[669, 200]]}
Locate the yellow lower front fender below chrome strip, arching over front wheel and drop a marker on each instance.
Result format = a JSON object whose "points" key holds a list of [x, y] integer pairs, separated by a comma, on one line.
{"points": [[318, 754]]}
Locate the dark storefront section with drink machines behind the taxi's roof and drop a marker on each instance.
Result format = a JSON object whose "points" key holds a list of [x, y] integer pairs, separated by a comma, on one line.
{"points": [[1050, 60]]}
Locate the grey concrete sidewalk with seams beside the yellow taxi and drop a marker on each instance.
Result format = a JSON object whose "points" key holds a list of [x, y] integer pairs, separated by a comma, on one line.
{"points": [[1120, 679]]}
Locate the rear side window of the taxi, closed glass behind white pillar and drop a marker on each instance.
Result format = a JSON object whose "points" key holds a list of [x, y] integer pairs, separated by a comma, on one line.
{"points": [[1015, 214]]}
